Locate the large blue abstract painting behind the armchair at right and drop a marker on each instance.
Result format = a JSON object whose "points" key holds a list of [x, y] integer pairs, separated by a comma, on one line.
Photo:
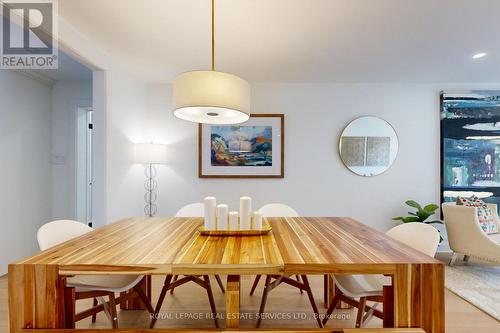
{"points": [[470, 140]]}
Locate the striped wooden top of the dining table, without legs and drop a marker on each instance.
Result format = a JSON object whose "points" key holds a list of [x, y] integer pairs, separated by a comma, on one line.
{"points": [[162, 245]]}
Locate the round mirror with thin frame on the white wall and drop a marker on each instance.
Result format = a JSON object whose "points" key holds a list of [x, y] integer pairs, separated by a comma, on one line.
{"points": [[368, 146]]}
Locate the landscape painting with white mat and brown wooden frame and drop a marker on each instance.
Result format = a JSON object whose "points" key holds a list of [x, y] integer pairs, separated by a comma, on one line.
{"points": [[254, 149]]}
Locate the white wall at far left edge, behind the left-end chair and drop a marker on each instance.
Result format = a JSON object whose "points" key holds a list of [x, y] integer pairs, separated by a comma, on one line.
{"points": [[25, 194]]}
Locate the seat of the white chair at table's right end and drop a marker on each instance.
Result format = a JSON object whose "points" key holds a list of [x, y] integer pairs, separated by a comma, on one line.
{"points": [[356, 286]]}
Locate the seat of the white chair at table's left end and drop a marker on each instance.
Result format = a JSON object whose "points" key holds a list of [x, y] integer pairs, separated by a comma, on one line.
{"points": [[111, 283]]}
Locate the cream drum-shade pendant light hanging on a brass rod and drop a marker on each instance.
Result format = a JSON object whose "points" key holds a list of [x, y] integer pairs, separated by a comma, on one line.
{"points": [[211, 97]]}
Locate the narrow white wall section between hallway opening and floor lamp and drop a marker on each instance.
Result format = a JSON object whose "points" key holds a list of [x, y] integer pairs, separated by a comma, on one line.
{"points": [[125, 122]]}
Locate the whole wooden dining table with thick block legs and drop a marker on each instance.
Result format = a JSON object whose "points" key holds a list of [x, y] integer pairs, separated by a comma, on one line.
{"points": [[174, 246]]}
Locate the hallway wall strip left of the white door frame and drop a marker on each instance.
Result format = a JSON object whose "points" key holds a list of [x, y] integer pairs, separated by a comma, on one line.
{"points": [[67, 96]]}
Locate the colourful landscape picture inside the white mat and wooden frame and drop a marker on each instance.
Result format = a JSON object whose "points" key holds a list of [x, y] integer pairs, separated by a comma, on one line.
{"points": [[241, 146]]}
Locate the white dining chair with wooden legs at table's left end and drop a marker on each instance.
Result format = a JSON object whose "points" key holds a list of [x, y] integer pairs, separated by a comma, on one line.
{"points": [[90, 286]]}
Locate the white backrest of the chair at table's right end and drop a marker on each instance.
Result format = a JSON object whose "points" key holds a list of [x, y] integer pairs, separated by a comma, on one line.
{"points": [[420, 236]]}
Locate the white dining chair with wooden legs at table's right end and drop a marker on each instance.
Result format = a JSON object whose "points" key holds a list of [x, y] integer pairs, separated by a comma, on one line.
{"points": [[349, 288]]}
